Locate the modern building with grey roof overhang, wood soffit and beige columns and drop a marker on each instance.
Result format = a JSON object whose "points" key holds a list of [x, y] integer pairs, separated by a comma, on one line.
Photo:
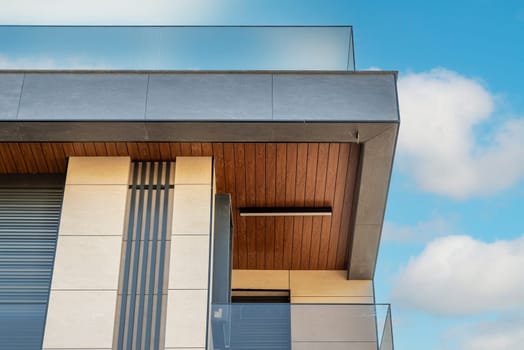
{"points": [[194, 208]]}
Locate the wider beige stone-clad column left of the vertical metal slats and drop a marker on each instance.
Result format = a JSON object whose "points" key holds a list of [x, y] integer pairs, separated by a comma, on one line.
{"points": [[84, 286]]}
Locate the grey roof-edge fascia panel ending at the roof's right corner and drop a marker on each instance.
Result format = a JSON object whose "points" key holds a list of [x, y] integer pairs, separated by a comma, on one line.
{"points": [[344, 97]]}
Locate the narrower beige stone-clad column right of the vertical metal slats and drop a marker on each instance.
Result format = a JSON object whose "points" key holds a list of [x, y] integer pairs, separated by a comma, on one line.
{"points": [[188, 294]]}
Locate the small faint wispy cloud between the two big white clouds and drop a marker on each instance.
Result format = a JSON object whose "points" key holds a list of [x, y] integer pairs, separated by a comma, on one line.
{"points": [[421, 232]]}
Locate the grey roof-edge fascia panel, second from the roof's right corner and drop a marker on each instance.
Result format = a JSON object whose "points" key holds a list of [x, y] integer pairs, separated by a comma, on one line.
{"points": [[209, 97]]}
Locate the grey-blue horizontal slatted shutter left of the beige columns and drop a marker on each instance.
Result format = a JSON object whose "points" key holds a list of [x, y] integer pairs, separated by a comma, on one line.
{"points": [[29, 219]]}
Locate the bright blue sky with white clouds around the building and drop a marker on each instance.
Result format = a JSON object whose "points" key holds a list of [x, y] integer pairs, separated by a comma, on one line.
{"points": [[453, 242]]}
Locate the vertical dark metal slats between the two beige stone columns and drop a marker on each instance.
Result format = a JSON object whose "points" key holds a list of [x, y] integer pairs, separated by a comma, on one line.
{"points": [[145, 258]]}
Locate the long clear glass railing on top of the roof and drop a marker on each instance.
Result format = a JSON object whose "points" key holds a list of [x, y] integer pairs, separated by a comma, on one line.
{"points": [[176, 48]]}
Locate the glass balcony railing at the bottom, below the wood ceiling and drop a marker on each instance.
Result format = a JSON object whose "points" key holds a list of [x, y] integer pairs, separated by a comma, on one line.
{"points": [[304, 326]]}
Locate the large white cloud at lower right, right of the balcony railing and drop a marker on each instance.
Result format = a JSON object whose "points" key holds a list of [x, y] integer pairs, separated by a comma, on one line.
{"points": [[458, 275]]}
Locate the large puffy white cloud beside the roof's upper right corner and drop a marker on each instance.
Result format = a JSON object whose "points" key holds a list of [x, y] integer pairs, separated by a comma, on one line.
{"points": [[438, 145]]}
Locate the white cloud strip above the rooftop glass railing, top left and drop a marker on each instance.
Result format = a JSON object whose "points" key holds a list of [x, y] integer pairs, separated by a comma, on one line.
{"points": [[109, 11]]}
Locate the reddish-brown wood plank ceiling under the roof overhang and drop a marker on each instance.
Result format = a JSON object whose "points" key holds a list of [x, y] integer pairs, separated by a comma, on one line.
{"points": [[256, 175]]}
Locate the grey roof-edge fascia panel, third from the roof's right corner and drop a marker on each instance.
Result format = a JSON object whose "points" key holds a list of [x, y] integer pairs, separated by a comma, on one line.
{"points": [[83, 97]]}
